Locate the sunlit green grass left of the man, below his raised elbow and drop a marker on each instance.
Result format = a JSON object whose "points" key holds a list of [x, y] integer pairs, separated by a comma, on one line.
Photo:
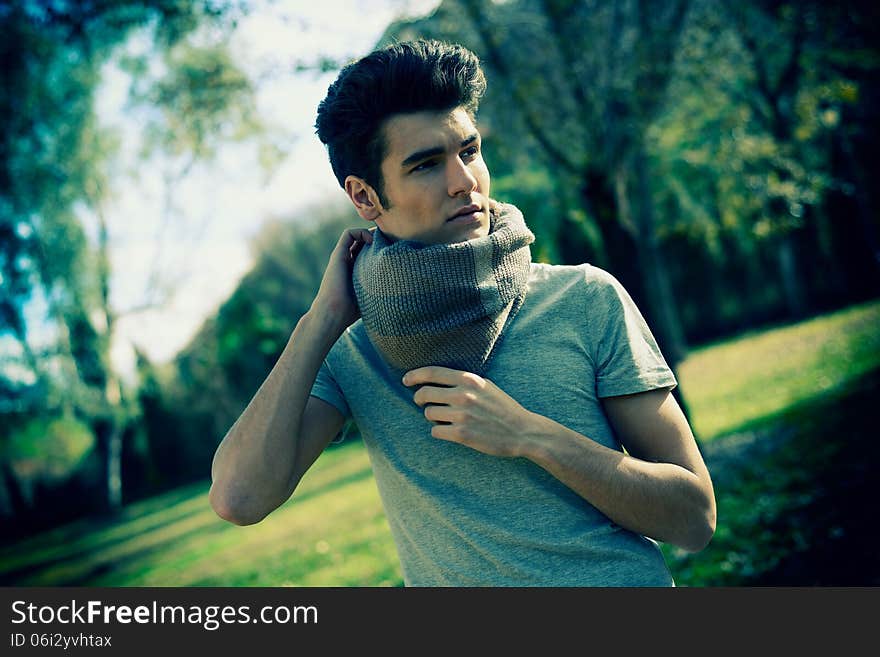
{"points": [[331, 532]]}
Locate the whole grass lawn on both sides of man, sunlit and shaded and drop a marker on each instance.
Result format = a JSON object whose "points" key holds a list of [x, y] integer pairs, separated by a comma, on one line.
{"points": [[773, 410]]}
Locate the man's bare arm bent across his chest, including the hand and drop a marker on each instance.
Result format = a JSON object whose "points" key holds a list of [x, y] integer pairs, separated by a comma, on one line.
{"points": [[661, 488]]}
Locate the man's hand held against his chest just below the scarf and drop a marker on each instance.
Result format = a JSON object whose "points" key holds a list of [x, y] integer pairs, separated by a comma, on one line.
{"points": [[468, 409]]}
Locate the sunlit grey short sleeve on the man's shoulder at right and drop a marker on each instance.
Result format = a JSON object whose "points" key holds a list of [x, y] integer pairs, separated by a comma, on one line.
{"points": [[627, 357]]}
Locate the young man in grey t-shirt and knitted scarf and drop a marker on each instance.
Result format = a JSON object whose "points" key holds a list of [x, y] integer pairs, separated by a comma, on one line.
{"points": [[517, 415]]}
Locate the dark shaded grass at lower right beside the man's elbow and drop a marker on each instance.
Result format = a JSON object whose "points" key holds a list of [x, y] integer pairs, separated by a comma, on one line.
{"points": [[793, 498]]}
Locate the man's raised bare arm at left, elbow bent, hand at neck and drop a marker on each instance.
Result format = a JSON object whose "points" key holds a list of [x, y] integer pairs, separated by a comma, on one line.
{"points": [[282, 431]]}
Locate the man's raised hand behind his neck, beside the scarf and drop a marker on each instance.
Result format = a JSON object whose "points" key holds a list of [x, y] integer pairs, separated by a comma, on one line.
{"points": [[336, 294]]}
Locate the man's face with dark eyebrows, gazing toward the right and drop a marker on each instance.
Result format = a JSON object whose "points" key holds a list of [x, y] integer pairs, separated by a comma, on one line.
{"points": [[436, 182]]}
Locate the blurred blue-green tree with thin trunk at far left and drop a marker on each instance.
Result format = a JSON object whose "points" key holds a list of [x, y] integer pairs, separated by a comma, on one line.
{"points": [[56, 163]]}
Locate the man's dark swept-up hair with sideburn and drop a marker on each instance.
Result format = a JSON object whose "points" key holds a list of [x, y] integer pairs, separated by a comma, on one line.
{"points": [[412, 76]]}
